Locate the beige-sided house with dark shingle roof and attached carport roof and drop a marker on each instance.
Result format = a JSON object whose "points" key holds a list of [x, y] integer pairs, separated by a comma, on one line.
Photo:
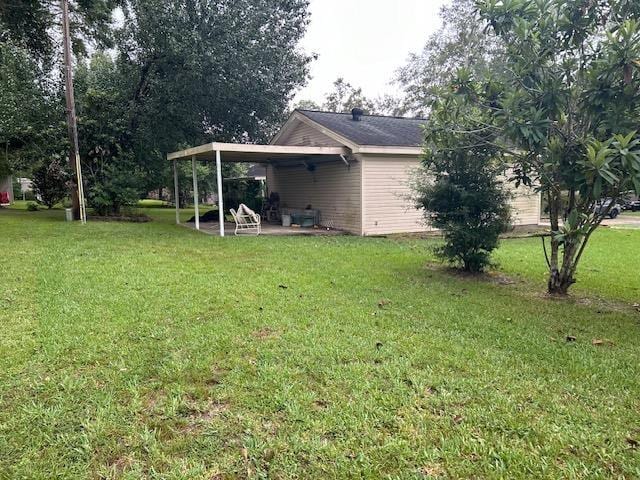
{"points": [[355, 169]]}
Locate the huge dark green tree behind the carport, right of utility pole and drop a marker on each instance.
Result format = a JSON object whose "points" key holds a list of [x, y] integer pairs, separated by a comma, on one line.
{"points": [[185, 73]]}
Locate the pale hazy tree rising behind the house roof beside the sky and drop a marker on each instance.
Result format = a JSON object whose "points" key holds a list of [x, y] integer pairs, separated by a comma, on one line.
{"points": [[462, 42]]}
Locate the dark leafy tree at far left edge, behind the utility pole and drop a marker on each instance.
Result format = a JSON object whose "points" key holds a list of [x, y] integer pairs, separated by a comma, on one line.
{"points": [[32, 127]]}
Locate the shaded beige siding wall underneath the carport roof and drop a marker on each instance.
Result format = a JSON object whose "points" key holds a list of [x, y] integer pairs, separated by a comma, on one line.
{"points": [[332, 188]]}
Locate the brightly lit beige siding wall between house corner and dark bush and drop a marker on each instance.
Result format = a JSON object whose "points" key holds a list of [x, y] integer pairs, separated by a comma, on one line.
{"points": [[386, 188]]}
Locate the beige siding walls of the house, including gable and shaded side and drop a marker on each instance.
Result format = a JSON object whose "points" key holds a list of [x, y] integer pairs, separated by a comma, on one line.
{"points": [[370, 198]]}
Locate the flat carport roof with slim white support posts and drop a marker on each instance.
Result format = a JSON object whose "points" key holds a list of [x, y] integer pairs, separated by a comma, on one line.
{"points": [[245, 153]]}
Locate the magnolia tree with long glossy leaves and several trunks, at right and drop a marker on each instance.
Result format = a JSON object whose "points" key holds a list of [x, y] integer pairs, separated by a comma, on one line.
{"points": [[564, 110]]}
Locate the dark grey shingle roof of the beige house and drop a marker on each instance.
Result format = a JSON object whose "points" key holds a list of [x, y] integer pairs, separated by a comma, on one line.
{"points": [[372, 129]]}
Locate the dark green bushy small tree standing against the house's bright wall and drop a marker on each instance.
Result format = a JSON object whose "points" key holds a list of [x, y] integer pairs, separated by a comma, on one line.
{"points": [[460, 188]]}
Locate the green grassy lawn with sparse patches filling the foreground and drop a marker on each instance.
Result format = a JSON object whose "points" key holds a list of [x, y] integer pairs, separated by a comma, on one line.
{"points": [[152, 351]]}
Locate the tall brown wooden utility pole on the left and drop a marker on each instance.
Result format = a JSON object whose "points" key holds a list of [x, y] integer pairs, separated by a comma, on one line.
{"points": [[77, 189]]}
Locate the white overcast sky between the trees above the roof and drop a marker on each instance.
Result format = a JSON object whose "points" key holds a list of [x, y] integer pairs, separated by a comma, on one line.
{"points": [[364, 41]]}
